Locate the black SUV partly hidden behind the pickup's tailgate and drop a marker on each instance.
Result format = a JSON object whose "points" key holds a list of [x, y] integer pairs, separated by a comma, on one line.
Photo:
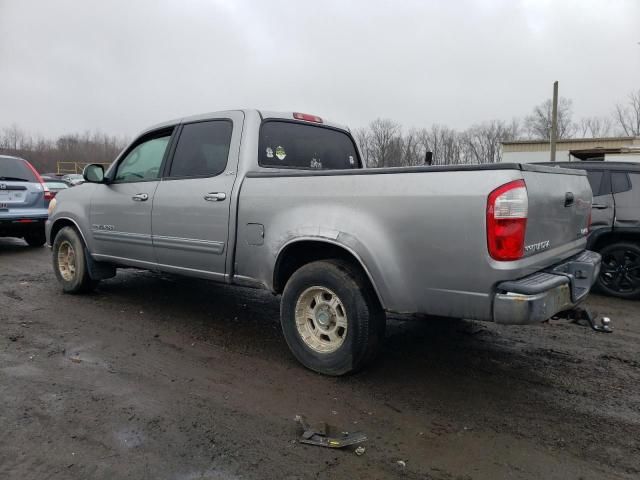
{"points": [[615, 223]]}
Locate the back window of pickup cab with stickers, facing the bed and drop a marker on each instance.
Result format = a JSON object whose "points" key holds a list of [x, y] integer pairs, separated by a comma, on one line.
{"points": [[297, 145]]}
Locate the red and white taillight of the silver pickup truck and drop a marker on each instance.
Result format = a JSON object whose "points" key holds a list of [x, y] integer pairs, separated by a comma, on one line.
{"points": [[507, 209]]}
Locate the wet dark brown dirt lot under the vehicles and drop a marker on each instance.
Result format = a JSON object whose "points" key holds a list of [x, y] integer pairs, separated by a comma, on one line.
{"points": [[168, 378]]}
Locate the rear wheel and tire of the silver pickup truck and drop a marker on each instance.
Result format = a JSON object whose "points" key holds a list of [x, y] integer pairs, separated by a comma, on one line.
{"points": [[334, 306]]}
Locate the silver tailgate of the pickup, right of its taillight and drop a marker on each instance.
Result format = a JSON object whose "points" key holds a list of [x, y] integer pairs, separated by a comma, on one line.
{"points": [[559, 208]]}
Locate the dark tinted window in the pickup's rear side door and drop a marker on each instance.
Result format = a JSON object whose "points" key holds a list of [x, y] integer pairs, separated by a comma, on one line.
{"points": [[202, 149]]}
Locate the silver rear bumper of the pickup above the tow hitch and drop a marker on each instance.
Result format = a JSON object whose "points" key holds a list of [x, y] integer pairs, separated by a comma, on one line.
{"points": [[540, 296]]}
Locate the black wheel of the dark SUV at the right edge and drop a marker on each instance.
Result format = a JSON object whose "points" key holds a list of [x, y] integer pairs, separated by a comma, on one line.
{"points": [[620, 271]]}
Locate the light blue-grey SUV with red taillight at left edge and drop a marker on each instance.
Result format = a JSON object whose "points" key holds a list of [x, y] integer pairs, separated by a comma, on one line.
{"points": [[24, 198]]}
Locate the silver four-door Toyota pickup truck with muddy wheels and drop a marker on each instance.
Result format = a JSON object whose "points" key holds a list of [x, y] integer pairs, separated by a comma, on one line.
{"points": [[282, 201]]}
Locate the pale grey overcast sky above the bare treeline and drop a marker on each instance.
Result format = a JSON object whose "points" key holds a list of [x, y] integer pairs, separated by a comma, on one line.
{"points": [[120, 66]]}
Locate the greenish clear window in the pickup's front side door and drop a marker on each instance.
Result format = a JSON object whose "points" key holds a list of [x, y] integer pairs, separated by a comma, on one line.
{"points": [[143, 162]]}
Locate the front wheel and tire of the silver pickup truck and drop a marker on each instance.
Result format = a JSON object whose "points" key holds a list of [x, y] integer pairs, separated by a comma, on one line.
{"points": [[69, 263]]}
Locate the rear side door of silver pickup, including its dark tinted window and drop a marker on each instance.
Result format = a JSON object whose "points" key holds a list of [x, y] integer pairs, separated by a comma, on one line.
{"points": [[190, 220]]}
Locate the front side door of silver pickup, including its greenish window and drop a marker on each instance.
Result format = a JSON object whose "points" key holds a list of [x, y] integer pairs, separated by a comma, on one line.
{"points": [[121, 208]]}
